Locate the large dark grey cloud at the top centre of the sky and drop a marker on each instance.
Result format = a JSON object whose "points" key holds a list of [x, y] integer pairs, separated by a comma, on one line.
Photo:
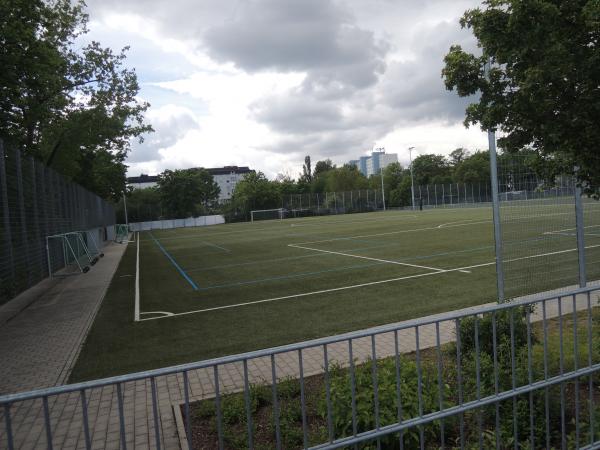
{"points": [[299, 35]]}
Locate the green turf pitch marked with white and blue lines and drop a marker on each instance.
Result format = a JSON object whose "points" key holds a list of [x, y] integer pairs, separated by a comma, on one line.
{"points": [[247, 263]]}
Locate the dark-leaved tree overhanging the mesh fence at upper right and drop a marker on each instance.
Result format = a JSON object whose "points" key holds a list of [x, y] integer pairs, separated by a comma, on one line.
{"points": [[542, 91]]}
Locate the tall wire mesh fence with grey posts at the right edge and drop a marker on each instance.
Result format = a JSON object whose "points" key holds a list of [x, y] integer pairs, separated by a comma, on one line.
{"points": [[550, 231]]}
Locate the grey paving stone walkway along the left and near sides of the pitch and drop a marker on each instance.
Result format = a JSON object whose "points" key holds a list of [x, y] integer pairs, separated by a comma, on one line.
{"points": [[39, 345]]}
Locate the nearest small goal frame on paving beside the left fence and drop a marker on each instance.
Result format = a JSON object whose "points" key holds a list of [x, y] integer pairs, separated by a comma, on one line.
{"points": [[67, 255]]}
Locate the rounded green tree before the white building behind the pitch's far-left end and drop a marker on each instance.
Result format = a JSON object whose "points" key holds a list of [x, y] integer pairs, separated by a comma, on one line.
{"points": [[187, 193]]}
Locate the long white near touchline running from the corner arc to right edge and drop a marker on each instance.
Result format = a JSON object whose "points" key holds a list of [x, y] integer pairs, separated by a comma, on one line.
{"points": [[355, 286]]}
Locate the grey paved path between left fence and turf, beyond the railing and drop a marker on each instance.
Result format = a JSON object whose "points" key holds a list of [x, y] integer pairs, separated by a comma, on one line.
{"points": [[42, 330]]}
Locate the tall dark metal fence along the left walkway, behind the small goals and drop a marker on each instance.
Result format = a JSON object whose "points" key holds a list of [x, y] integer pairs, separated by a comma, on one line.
{"points": [[36, 202]]}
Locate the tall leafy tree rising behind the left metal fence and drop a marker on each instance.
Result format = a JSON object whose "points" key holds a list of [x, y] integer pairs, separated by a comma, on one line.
{"points": [[75, 108]]}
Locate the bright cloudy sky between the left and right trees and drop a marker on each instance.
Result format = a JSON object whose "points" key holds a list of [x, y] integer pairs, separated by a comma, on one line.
{"points": [[263, 83]]}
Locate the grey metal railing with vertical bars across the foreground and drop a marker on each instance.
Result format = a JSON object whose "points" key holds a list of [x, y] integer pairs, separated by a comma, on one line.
{"points": [[519, 375]]}
